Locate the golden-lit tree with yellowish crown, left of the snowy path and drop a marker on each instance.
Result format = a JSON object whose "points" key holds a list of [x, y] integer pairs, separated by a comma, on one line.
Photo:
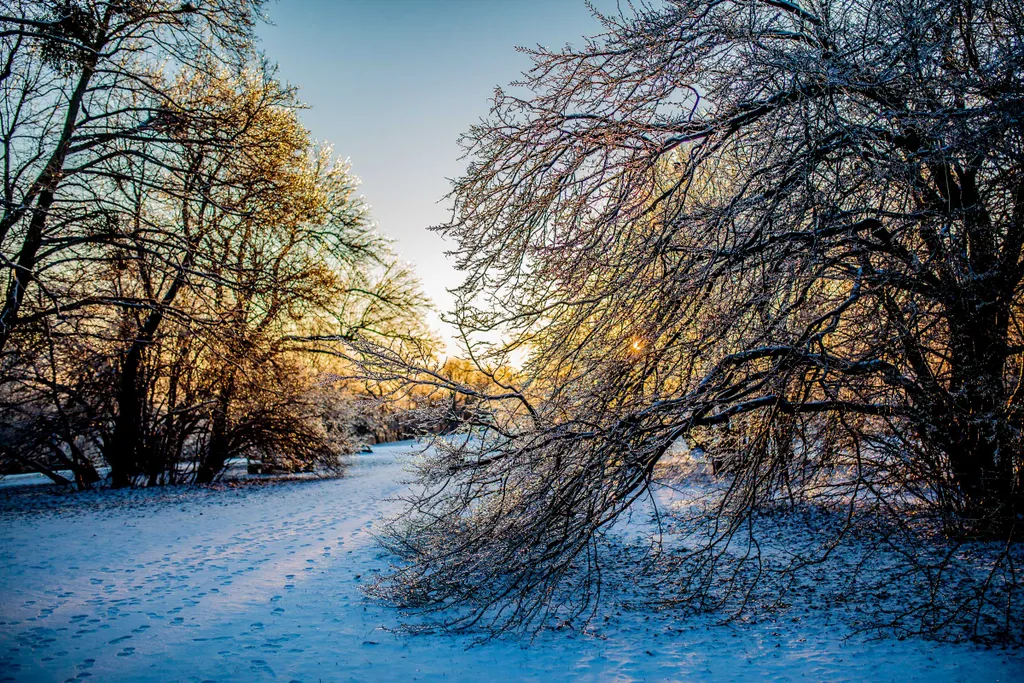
{"points": [[261, 237]]}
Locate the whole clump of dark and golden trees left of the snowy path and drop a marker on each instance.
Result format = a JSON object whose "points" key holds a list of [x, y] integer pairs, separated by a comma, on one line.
{"points": [[170, 236]]}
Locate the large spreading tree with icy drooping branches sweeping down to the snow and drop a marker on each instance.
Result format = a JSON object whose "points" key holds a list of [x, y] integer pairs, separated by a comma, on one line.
{"points": [[796, 224]]}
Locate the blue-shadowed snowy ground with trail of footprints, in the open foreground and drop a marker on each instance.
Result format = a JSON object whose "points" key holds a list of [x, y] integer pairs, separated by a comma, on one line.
{"points": [[263, 583]]}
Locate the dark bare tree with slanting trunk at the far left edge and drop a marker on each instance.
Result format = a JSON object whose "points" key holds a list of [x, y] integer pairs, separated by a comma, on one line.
{"points": [[87, 81]]}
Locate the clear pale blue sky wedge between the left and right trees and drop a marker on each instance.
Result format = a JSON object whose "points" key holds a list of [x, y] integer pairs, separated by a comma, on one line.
{"points": [[394, 83]]}
